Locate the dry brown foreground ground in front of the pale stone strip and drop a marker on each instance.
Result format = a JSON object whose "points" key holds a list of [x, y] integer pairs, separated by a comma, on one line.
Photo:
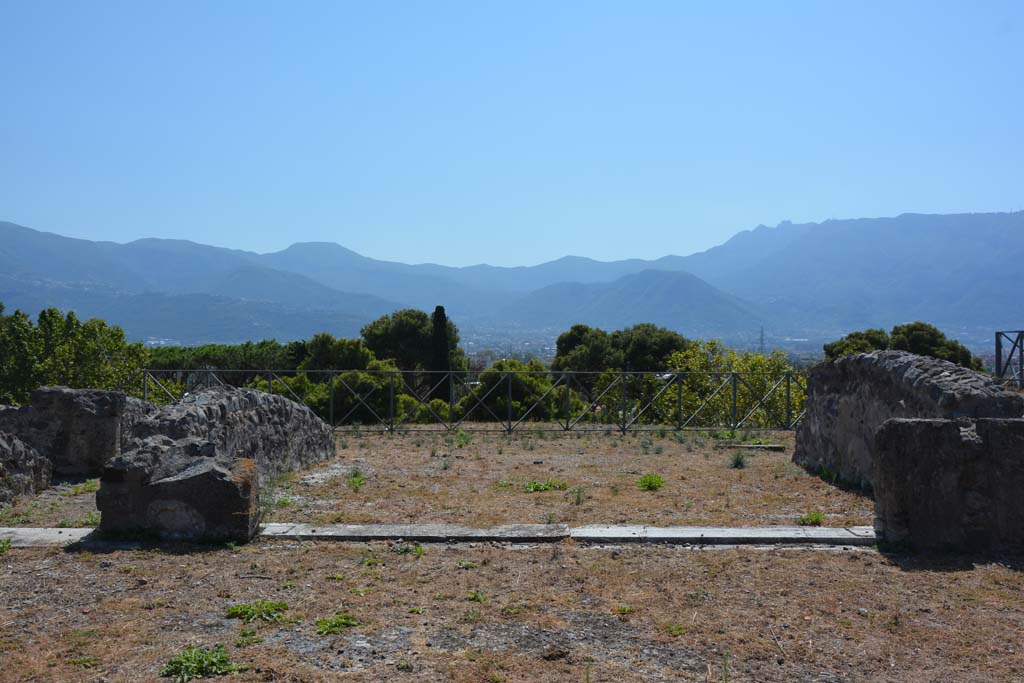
{"points": [[490, 614]]}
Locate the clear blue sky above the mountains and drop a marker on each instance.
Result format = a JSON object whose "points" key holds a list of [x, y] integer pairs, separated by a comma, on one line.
{"points": [[509, 134]]}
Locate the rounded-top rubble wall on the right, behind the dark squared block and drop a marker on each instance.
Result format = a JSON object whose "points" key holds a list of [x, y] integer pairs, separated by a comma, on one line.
{"points": [[849, 399]]}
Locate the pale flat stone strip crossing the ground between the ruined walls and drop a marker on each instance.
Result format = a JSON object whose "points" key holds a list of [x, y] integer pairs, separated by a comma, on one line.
{"points": [[594, 534]]}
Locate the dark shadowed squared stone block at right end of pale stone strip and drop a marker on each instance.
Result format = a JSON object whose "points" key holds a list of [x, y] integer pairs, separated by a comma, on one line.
{"points": [[948, 485]]}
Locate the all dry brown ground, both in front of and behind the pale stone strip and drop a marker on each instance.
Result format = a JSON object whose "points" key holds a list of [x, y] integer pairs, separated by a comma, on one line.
{"points": [[487, 614]]}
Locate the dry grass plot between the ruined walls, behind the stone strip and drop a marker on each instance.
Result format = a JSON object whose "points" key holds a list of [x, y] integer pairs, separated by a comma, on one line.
{"points": [[433, 479]]}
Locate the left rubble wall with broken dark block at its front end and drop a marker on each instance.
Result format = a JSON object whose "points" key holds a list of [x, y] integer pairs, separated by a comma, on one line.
{"points": [[194, 471]]}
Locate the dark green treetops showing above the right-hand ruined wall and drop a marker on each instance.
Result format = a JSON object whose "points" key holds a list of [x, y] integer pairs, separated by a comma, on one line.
{"points": [[920, 338]]}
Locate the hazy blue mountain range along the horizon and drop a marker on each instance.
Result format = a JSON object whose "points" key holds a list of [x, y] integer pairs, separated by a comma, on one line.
{"points": [[812, 281]]}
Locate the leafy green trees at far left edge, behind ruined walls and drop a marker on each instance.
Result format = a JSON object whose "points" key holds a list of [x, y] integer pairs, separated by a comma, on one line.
{"points": [[61, 350]]}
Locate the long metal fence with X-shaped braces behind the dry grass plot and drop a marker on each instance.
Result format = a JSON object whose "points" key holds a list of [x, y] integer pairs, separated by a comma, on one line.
{"points": [[508, 401]]}
